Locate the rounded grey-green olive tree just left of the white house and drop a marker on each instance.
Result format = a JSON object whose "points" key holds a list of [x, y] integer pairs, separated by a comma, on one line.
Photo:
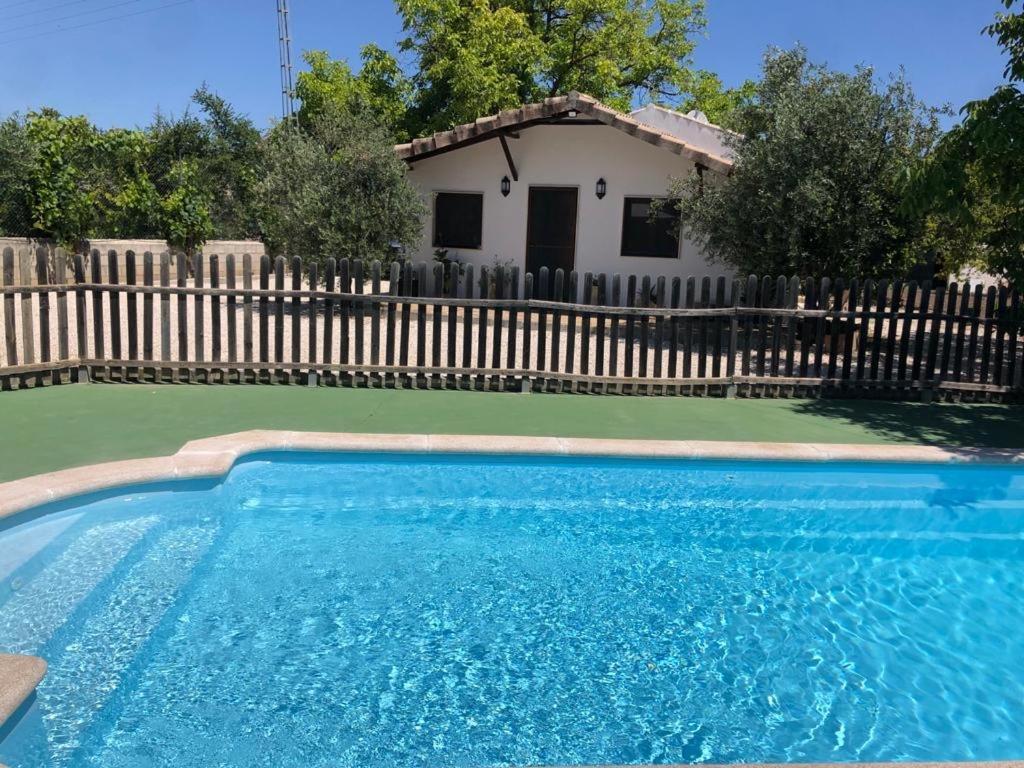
{"points": [[337, 190]]}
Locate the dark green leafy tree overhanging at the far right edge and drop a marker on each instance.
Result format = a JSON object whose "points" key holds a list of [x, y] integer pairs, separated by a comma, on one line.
{"points": [[973, 184]]}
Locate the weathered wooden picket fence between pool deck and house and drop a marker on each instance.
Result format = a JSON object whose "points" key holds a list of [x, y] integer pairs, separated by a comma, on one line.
{"points": [[355, 324]]}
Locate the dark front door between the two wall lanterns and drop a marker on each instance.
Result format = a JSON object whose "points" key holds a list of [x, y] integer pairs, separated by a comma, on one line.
{"points": [[551, 229]]}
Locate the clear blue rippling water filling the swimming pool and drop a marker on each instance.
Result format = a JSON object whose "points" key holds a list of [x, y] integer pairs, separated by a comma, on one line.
{"points": [[421, 612]]}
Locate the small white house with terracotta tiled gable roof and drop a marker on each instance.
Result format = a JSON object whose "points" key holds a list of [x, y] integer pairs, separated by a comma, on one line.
{"points": [[564, 184]]}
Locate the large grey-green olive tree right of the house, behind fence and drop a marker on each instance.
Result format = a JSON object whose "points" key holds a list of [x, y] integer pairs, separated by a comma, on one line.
{"points": [[817, 186]]}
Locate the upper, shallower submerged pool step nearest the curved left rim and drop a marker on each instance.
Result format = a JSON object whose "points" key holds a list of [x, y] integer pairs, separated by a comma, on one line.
{"points": [[38, 609]]}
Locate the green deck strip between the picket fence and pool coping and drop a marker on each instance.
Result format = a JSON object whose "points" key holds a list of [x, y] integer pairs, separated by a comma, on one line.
{"points": [[58, 428]]}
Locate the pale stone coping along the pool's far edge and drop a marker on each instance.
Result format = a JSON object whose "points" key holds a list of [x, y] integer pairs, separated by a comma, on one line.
{"points": [[215, 457]]}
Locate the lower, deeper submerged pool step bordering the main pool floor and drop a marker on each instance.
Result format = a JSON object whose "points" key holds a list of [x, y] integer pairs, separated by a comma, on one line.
{"points": [[91, 668]]}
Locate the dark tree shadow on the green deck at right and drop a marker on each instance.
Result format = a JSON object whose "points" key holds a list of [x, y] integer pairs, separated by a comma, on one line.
{"points": [[937, 424]]}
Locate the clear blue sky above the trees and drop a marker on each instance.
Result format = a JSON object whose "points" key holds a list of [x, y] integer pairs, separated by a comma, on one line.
{"points": [[119, 61]]}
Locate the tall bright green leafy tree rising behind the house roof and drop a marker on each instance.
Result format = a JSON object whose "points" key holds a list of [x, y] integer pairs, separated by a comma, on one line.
{"points": [[478, 57]]}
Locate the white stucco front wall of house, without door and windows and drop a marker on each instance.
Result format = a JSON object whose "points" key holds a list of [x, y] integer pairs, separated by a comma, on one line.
{"points": [[560, 156]]}
